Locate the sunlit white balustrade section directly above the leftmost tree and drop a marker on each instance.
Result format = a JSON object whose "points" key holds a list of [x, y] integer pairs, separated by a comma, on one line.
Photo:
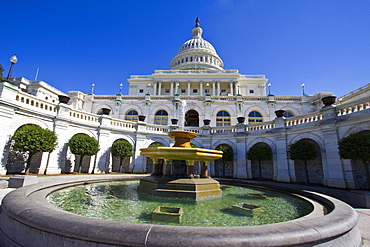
{"points": [[32, 102]]}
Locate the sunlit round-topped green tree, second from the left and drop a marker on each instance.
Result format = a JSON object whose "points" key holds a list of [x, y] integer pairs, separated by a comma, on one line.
{"points": [[83, 145]]}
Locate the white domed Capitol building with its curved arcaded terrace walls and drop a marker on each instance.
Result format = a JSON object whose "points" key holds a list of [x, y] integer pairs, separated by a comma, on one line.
{"points": [[223, 106]]}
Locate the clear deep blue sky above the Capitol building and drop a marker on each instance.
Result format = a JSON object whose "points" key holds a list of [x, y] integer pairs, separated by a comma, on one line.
{"points": [[74, 43]]}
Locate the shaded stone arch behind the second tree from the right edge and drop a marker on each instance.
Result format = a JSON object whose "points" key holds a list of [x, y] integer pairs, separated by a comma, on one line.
{"points": [[314, 167]]}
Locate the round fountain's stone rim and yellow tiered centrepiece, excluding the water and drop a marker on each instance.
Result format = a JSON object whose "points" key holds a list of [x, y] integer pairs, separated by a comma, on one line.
{"points": [[38, 223]]}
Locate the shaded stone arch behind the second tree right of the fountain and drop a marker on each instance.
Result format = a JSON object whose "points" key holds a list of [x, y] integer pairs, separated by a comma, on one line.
{"points": [[262, 169]]}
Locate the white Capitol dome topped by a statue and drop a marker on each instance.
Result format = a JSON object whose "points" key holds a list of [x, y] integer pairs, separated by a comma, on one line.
{"points": [[197, 54]]}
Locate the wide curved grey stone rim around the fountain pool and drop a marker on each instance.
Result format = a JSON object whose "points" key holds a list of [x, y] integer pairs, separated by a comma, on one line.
{"points": [[27, 209]]}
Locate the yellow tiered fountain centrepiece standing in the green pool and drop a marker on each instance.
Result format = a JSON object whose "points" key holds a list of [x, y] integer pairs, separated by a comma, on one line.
{"points": [[173, 173]]}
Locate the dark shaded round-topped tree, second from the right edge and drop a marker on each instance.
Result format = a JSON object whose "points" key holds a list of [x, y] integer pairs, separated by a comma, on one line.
{"points": [[303, 150]]}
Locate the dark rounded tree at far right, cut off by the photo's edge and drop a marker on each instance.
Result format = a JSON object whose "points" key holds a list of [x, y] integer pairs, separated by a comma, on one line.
{"points": [[356, 147]]}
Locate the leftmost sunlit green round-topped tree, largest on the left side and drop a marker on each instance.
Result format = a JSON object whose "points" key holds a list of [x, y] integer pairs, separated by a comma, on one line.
{"points": [[33, 139]]}
